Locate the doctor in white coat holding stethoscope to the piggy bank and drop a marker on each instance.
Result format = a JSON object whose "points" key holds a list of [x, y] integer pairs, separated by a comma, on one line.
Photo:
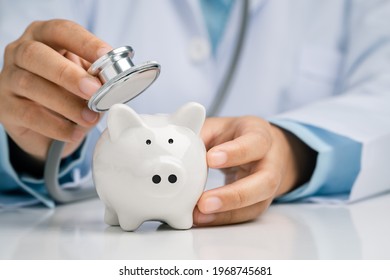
{"points": [[306, 115]]}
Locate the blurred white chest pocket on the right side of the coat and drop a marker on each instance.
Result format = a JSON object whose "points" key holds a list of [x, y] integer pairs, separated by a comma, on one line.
{"points": [[315, 76]]}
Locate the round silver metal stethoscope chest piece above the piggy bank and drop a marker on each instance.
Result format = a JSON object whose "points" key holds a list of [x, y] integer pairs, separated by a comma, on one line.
{"points": [[122, 80]]}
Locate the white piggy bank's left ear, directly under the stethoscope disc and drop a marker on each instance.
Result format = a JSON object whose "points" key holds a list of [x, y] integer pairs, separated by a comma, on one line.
{"points": [[120, 118]]}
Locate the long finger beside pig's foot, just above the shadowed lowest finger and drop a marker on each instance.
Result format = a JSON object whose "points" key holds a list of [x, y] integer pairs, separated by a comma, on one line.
{"points": [[247, 191]]}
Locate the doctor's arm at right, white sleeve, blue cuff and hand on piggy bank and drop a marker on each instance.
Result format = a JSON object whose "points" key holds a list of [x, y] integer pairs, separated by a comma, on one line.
{"points": [[359, 116]]}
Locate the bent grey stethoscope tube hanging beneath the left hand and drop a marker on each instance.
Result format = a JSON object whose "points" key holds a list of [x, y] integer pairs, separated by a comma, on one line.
{"points": [[51, 172]]}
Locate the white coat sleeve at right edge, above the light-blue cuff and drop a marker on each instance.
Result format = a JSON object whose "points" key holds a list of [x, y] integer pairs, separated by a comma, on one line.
{"points": [[361, 111]]}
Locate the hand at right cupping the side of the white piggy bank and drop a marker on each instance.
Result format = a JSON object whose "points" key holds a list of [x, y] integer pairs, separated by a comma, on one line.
{"points": [[260, 162]]}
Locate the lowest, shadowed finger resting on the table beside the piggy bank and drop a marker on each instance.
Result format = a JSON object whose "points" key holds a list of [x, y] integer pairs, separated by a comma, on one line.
{"points": [[230, 217]]}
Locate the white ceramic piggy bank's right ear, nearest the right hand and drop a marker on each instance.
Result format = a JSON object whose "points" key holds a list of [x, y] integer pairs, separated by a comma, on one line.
{"points": [[191, 115]]}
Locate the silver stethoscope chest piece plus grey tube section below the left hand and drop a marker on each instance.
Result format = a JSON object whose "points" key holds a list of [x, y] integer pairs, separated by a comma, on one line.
{"points": [[122, 81]]}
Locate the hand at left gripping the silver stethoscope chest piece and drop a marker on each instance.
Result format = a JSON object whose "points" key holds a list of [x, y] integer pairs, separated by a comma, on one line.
{"points": [[44, 86]]}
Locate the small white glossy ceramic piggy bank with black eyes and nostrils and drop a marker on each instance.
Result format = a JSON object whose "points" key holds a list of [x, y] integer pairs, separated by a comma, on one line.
{"points": [[150, 167]]}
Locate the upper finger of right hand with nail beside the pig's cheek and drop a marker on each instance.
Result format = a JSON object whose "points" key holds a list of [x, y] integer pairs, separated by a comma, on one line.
{"points": [[246, 148]]}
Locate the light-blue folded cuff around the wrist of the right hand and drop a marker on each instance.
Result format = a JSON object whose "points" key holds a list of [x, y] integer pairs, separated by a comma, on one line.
{"points": [[337, 166]]}
